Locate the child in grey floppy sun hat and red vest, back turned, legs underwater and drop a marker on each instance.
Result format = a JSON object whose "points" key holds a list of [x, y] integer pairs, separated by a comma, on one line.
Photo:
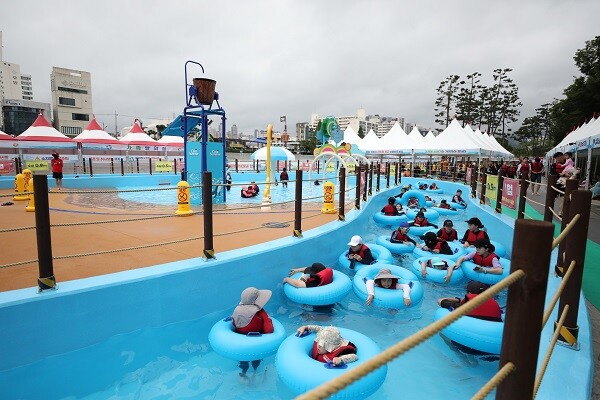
{"points": [[249, 316]]}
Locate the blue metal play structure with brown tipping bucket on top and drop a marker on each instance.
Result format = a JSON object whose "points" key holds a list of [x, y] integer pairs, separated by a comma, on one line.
{"points": [[199, 99]]}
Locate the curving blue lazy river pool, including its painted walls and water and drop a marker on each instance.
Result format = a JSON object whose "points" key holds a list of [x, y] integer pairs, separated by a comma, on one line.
{"points": [[143, 334]]}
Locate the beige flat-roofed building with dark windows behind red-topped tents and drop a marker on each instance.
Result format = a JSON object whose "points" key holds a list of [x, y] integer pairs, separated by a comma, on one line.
{"points": [[71, 100]]}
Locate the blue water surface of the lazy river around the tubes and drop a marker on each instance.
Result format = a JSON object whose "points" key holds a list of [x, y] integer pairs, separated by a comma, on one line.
{"points": [[176, 361]]}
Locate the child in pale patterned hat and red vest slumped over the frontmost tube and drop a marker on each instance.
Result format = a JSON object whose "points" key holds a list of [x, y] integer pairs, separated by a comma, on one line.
{"points": [[329, 345]]}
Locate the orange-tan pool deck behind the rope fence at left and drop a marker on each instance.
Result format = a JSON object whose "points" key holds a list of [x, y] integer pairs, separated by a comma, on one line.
{"points": [[72, 208]]}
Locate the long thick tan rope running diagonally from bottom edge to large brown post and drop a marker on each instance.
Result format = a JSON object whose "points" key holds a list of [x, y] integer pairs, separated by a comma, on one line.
{"points": [[335, 385]]}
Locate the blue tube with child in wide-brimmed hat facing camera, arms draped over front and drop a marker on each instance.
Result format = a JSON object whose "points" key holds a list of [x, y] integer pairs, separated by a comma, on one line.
{"points": [[386, 297]]}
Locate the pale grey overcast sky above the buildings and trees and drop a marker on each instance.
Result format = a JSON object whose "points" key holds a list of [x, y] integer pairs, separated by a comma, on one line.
{"points": [[294, 58]]}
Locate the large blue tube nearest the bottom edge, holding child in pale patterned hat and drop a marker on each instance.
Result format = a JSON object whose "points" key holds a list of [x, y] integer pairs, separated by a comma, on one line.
{"points": [[301, 373]]}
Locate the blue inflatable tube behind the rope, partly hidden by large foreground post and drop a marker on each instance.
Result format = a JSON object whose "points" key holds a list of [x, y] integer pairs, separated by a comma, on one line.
{"points": [[478, 334]]}
